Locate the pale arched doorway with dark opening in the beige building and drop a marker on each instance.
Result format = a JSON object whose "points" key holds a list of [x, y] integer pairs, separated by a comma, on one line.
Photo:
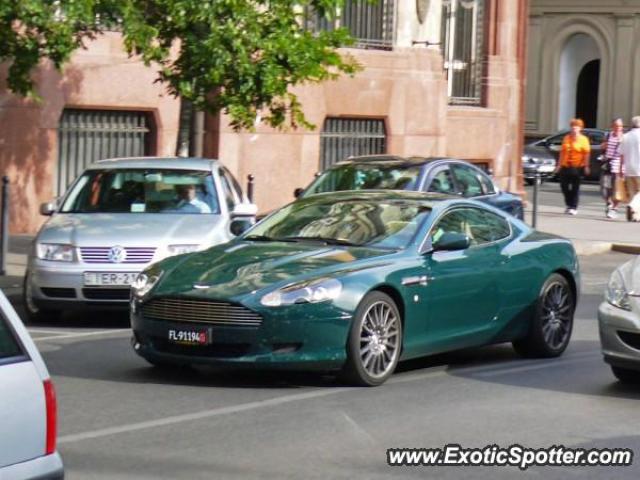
{"points": [[579, 80]]}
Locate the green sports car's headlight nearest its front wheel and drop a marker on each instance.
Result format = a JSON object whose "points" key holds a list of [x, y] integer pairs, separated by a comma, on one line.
{"points": [[314, 291]]}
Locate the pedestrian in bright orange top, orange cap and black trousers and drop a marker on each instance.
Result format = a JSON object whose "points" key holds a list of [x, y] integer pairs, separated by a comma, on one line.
{"points": [[573, 164]]}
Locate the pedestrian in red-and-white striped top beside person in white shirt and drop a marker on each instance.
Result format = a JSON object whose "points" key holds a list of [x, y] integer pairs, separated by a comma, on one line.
{"points": [[611, 167]]}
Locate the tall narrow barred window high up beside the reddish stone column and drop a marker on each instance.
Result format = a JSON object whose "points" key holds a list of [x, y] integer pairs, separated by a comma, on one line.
{"points": [[463, 49]]}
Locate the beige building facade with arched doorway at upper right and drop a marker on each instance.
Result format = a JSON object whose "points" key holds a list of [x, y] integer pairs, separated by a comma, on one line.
{"points": [[582, 62]]}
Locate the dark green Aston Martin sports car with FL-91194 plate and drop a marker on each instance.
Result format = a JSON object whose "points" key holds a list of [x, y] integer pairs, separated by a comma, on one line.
{"points": [[357, 281]]}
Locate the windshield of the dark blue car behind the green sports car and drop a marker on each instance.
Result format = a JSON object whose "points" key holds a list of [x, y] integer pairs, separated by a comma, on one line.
{"points": [[366, 177]]}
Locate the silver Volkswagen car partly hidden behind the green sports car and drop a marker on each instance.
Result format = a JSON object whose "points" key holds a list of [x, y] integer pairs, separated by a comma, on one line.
{"points": [[121, 215]]}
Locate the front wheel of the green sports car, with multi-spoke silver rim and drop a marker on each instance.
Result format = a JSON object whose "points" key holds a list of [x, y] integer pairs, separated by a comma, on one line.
{"points": [[375, 341]]}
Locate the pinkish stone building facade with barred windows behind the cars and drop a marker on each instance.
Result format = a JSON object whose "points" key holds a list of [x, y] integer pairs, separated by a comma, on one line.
{"points": [[439, 78]]}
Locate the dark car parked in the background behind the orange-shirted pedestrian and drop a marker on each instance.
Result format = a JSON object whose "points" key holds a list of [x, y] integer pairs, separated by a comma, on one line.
{"points": [[537, 155]]}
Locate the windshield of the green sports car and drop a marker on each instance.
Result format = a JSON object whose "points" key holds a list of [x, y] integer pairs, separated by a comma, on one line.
{"points": [[384, 224]]}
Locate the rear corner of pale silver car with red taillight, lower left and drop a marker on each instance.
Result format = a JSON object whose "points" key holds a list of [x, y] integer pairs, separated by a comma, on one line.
{"points": [[27, 405]]}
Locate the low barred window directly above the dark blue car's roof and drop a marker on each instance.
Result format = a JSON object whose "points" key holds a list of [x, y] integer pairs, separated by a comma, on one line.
{"points": [[345, 137]]}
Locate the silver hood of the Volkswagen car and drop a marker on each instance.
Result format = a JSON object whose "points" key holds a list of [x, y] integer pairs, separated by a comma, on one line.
{"points": [[131, 229]]}
